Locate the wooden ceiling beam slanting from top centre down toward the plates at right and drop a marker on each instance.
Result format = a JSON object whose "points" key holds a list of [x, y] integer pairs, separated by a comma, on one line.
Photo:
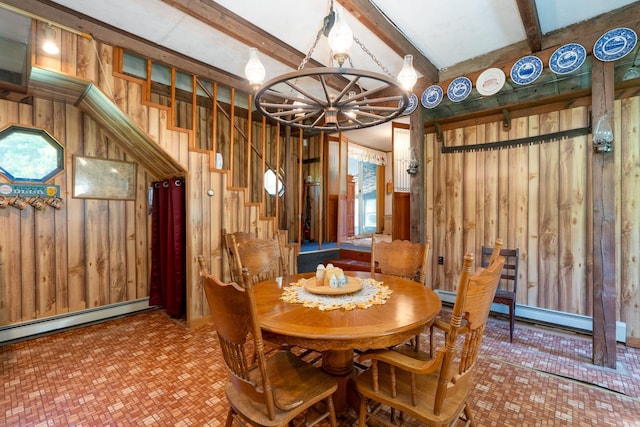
{"points": [[378, 24]]}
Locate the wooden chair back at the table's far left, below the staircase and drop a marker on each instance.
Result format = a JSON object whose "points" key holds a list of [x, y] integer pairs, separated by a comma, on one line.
{"points": [[263, 257]]}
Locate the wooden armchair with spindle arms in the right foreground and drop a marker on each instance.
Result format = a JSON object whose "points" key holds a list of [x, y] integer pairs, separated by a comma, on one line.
{"points": [[434, 391]]}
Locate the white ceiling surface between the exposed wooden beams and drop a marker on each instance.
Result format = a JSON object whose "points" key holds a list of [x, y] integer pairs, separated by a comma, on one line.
{"points": [[446, 33]]}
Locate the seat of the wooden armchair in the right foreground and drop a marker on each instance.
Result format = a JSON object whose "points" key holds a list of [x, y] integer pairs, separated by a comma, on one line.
{"points": [[426, 386]]}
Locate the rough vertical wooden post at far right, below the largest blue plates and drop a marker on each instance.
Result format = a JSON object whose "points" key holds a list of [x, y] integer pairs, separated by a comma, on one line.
{"points": [[603, 198]]}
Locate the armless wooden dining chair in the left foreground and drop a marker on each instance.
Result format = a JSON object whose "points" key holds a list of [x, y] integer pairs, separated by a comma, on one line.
{"points": [[262, 389]]}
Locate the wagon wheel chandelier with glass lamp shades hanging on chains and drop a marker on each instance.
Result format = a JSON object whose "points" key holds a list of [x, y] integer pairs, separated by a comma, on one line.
{"points": [[332, 98]]}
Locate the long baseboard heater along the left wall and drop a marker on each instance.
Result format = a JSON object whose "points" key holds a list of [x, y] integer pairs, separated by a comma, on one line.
{"points": [[64, 321]]}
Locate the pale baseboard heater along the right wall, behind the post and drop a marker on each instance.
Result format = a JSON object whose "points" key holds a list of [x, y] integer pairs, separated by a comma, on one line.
{"points": [[544, 315]]}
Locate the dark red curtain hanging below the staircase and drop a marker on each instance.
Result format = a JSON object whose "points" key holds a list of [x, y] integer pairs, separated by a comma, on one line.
{"points": [[168, 237]]}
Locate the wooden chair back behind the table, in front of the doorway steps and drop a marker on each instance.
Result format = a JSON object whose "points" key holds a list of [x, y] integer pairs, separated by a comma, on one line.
{"points": [[400, 258]]}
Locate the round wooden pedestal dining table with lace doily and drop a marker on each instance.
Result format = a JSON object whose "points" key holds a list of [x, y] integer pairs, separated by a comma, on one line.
{"points": [[336, 333]]}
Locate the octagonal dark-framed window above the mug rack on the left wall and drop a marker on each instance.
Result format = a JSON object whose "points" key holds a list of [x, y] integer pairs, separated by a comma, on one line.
{"points": [[29, 154]]}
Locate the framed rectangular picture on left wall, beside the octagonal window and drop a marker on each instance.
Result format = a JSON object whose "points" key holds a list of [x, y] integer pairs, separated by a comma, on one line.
{"points": [[95, 178]]}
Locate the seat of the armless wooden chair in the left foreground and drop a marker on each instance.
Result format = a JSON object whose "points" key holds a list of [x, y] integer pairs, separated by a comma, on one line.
{"points": [[315, 386]]}
